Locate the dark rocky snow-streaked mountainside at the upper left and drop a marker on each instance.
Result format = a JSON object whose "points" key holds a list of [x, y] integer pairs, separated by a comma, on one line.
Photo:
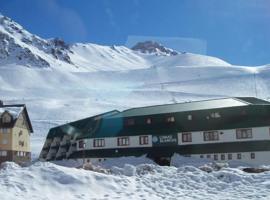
{"points": [[21, 47]]}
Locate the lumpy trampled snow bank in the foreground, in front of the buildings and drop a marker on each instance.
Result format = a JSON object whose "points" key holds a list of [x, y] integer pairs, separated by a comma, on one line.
{"points": [[47, 181]]}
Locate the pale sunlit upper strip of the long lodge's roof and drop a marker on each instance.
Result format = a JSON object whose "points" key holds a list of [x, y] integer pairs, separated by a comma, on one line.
{"points": [[184, 107]]}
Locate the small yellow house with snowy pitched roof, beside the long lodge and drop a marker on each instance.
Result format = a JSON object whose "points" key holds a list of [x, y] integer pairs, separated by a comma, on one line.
{"points": [[15, 130]]}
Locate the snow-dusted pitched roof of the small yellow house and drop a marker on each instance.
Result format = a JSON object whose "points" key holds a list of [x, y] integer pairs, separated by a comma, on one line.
{"points": [[15, 110]]}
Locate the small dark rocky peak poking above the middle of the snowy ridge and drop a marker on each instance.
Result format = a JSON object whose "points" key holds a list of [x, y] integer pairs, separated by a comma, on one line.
{"points": [[152, 47]]}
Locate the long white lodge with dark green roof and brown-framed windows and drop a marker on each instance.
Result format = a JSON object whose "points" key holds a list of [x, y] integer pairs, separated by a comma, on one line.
{"points": [[220, 129]]}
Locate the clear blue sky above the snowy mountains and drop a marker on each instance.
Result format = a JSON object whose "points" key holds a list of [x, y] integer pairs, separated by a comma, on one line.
{"points": [[237, 31]]}
